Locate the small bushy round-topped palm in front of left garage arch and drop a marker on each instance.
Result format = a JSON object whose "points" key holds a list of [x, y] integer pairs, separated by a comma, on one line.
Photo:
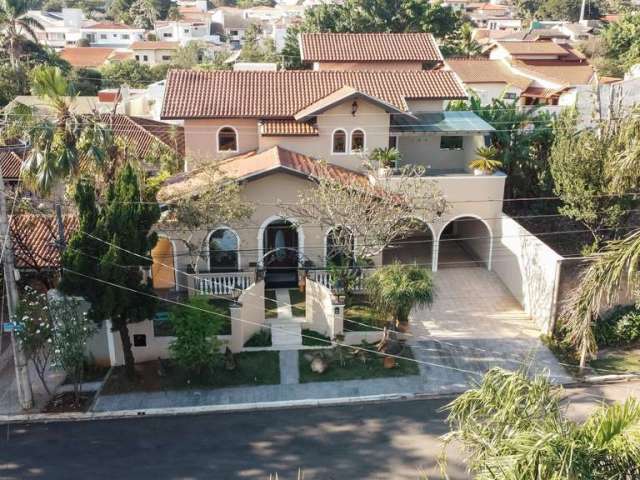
{"points": [[395, 289]]}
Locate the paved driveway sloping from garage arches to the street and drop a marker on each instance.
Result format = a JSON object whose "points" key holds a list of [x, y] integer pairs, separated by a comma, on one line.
{"points": [[473, 325]]}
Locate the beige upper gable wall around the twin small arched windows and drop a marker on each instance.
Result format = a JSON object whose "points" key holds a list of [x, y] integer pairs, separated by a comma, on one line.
{"points": [[373, 120]]}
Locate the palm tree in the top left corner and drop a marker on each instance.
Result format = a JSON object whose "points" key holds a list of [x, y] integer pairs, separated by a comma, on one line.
{"points": [[15, 25]]}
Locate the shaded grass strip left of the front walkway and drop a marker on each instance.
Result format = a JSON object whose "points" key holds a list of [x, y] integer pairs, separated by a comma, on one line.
{"points": [[252, 368]]}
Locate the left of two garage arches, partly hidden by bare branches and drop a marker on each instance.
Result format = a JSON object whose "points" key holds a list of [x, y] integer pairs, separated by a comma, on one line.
{"points": [[413, 248]]}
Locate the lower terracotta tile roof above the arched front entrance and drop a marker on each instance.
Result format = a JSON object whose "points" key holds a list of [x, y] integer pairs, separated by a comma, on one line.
{"points": [[251, 164]]}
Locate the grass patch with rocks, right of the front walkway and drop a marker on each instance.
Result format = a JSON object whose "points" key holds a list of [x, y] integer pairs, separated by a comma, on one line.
{"points": [[355, 369]]}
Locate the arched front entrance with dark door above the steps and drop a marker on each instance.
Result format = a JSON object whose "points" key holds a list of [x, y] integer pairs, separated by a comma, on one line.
{"points": [[281, 249]]}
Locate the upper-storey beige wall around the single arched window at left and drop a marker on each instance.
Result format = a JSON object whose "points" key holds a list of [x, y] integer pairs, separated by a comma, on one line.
{"points": [[200, 138]]}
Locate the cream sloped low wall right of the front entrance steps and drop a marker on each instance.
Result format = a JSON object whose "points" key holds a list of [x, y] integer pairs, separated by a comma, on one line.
{"points": [[322, 314]]}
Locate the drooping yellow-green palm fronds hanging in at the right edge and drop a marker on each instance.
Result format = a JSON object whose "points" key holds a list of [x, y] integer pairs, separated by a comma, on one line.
{"points": [[616, 268]]}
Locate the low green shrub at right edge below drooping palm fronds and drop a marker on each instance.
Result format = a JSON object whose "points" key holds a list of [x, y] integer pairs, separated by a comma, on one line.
{"points": [[620, 326]]}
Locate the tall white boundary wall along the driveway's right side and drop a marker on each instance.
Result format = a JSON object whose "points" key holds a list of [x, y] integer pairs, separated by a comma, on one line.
{"points": [[529, 269]]}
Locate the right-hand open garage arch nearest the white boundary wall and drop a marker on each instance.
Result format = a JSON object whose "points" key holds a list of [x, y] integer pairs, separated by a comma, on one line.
{"points": [[465, 241]]}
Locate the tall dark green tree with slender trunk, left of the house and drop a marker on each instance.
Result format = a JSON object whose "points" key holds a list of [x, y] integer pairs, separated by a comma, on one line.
{"points": [[108, 272]]}
